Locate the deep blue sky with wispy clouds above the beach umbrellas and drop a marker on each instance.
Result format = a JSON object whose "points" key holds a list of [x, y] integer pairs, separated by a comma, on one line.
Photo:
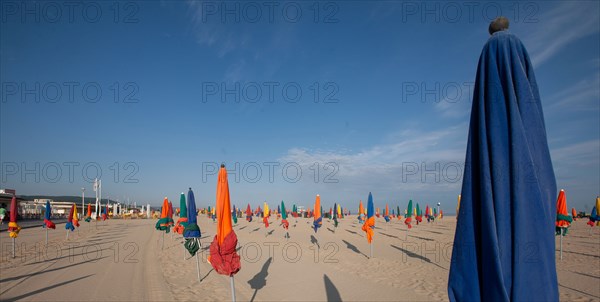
{"points": [[358, 97]]}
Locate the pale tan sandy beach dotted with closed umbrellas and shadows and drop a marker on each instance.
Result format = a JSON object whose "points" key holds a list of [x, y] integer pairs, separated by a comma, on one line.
{"points": [[124, 260]]}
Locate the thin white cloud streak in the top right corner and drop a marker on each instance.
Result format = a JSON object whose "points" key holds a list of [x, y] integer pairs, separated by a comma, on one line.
{"points": [[560, 26]]}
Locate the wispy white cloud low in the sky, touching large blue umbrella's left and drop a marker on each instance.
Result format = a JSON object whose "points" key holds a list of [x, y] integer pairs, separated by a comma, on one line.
{"points": [[416, 164]]}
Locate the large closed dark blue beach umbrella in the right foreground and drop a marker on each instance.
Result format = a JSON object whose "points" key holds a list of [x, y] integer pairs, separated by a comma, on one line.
{"points": [[504, 248]]}
